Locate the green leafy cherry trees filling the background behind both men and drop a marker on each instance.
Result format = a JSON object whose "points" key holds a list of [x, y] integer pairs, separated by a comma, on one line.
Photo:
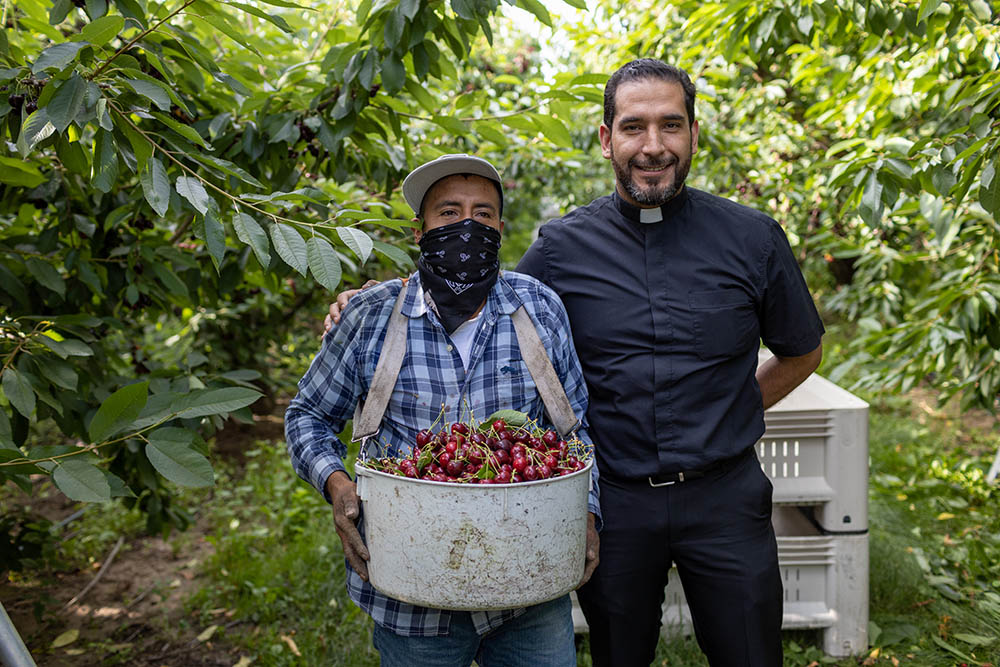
{"points": [[183, 185]]}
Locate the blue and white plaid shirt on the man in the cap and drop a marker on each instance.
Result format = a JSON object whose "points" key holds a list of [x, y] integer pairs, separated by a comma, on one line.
{"points": [[432, 375]]}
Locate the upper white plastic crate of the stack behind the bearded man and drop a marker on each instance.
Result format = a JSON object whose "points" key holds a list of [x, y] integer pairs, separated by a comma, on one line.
{"points": [[815, 450]]}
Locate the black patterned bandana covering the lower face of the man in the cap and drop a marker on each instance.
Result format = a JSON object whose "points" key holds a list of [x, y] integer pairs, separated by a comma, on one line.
{"points": [[458, 265]]}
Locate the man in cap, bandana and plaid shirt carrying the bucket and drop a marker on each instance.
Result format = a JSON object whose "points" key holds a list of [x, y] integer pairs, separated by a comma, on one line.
{"points": [[461, 353]]}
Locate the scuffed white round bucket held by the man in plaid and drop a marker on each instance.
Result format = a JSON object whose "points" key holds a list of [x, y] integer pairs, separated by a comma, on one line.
{"points": [[473, 546]]}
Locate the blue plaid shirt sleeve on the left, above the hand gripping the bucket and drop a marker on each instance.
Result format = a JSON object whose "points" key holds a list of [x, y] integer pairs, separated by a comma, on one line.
{"points": [[328, 394]]}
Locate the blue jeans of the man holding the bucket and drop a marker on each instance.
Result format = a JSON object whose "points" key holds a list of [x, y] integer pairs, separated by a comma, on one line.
{"points": [[540, 637]]}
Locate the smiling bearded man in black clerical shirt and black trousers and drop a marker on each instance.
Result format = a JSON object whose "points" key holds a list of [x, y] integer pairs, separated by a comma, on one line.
{"points": [[669, 292]]}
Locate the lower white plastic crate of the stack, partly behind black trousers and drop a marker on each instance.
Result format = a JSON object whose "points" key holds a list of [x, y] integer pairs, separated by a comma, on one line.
{"points": [[825, 582]]}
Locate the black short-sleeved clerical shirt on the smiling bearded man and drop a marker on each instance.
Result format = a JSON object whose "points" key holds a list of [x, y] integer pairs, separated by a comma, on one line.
{"points": [[668, 307]]}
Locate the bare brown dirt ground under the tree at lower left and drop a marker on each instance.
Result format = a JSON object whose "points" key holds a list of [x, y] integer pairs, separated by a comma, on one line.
{"points": [[132, 611]]}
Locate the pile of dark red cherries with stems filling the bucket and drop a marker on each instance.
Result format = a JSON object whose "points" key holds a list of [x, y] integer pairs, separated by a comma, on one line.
{"points": [[491, 453]]}
